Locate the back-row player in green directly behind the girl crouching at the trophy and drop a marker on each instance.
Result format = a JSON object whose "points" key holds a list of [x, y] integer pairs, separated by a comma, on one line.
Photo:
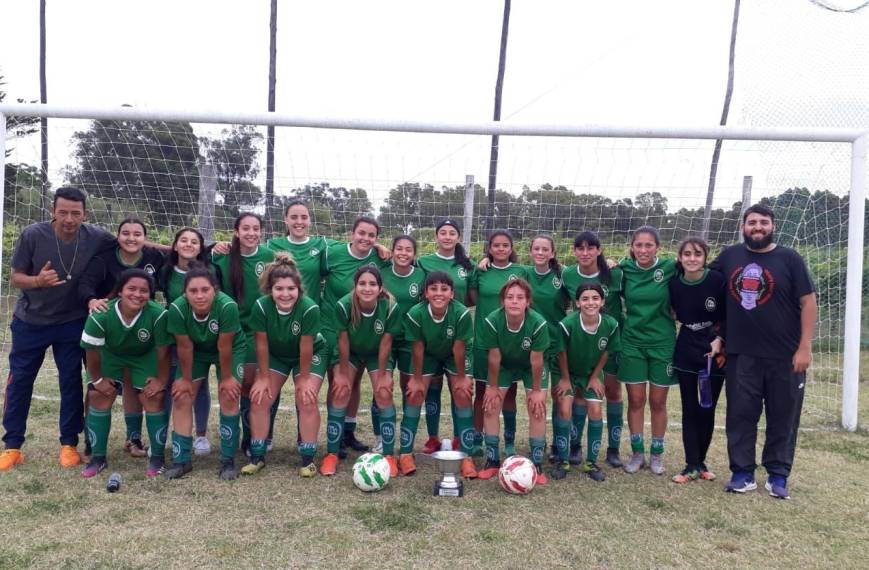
{"points": [[451, 258]]}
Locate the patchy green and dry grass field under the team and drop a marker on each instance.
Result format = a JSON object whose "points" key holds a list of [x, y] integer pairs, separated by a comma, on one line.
{"points": [[54, 518]]}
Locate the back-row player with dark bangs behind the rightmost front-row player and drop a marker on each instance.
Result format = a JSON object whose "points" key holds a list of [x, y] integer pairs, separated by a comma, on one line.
{"points": [[591, 267]]}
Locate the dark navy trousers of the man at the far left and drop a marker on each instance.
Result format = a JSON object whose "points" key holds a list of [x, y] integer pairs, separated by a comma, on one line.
{"points": [[29, 343]]}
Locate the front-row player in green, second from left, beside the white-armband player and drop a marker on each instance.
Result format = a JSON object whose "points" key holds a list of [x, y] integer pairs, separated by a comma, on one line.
{"points": [[207, 332]]}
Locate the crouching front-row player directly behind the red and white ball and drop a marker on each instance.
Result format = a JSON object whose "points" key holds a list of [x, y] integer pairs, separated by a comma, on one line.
{"points": [[516, 338]]}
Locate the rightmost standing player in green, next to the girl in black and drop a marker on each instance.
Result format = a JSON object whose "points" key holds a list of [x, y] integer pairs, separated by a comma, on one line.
{"points": [[647, 344]]}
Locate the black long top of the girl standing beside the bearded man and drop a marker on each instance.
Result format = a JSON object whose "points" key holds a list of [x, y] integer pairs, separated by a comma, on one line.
{"points": [[699, 307]]}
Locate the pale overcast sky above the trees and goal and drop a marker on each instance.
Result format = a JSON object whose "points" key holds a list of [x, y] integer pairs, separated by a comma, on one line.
{"points": [[568, 62]]}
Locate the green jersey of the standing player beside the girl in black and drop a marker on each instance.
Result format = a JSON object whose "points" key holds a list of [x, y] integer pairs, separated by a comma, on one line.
{"points": [[648, 321]]}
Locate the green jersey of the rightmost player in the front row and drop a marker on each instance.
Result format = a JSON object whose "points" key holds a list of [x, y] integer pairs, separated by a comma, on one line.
{"points": [[584, 347]]}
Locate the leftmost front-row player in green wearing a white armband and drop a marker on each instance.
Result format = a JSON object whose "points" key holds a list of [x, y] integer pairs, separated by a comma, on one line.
{"points": [[127, 341]]}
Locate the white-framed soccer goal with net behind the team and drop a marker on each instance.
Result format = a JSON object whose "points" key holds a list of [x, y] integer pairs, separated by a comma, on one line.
{"points": [[178, 168]]}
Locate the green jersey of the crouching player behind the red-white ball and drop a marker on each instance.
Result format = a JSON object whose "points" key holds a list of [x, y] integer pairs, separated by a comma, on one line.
{"points": [[517, 345]]}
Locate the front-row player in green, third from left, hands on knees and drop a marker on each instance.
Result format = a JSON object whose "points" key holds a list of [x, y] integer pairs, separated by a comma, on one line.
{"points": [[286, 326]]}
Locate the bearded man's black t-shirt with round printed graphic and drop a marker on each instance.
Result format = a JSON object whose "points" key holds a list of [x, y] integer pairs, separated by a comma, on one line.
{"points": [[763, 293]]}
